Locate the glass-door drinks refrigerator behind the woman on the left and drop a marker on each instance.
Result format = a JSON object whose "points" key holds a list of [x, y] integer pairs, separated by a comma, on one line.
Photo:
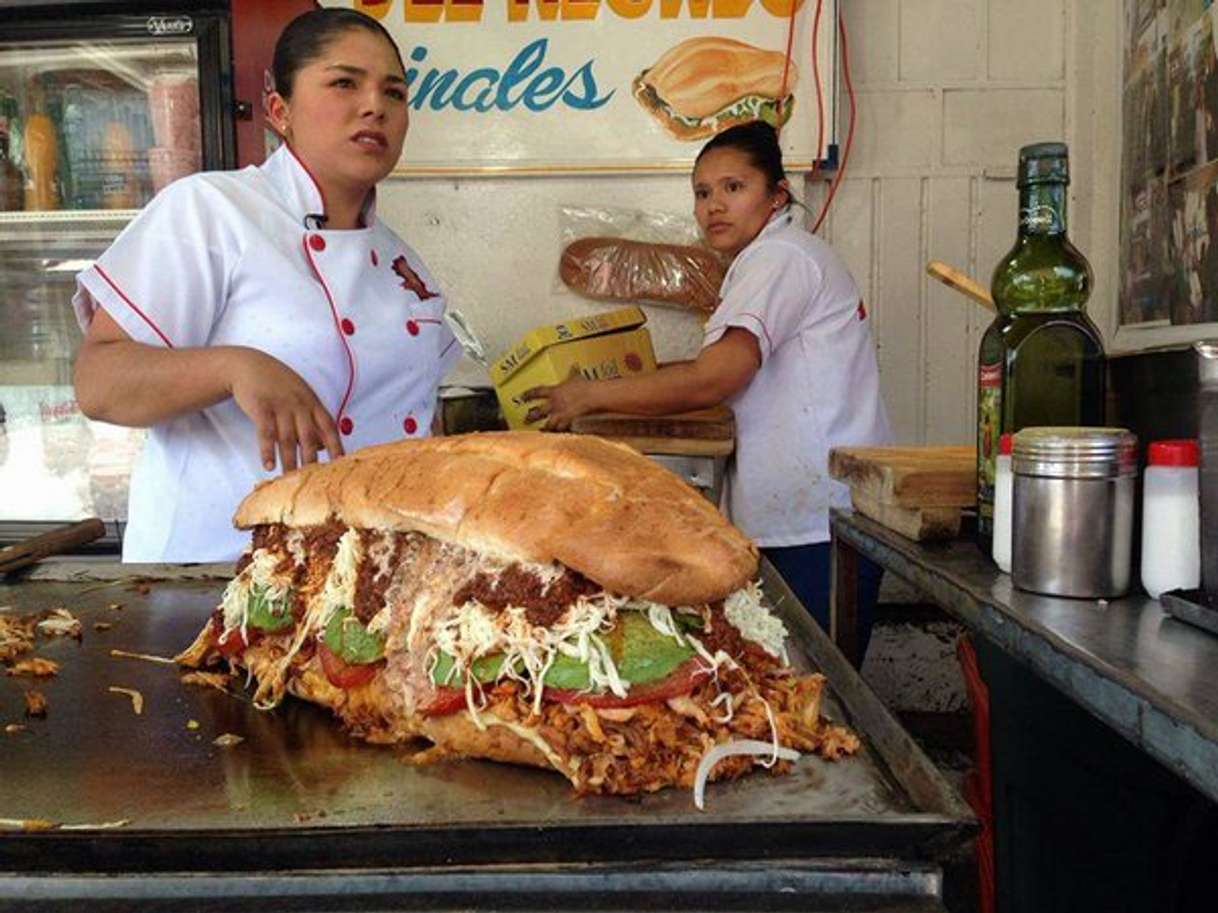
{"points": [[100, 109]]}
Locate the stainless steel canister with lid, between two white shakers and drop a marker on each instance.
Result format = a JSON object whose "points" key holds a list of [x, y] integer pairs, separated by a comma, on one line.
{"points": [[1074, 511]]}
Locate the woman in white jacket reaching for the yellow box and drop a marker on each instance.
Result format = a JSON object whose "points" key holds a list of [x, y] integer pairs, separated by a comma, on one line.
{"points": [[789, 349]]}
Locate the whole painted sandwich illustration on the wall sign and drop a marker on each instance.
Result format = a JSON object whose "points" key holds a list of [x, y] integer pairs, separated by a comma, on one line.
{"points": [[708, 85]]}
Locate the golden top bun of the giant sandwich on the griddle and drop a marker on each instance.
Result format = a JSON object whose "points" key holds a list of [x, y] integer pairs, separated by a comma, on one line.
{"points": [[596, 507]]}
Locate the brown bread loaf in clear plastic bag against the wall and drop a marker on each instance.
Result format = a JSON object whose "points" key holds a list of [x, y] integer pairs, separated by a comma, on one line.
{"points": [[622, 270]]}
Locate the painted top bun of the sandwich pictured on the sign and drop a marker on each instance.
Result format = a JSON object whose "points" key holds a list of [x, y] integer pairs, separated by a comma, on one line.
{"points": [[703, 76]]}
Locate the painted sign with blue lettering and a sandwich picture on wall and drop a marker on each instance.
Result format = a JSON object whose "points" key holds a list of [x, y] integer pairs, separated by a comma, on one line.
{"points": [[606, 86]]}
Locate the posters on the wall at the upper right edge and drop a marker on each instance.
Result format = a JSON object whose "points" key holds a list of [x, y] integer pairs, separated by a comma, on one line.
{"points": [[1170, 172]]}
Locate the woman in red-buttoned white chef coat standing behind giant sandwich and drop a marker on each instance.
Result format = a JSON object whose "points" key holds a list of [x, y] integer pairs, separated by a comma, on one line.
{"points": [[255, 320]]}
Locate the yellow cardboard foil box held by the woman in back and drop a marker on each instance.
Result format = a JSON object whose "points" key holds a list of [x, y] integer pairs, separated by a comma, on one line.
{"points": [[600, 348]]}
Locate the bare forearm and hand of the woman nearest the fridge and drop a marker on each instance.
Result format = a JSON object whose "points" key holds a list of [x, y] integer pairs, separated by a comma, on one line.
{"points": [[128, 383]]}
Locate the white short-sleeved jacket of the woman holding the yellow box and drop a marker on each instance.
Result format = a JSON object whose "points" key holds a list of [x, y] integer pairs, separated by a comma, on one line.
{"points": [[818, 387]]}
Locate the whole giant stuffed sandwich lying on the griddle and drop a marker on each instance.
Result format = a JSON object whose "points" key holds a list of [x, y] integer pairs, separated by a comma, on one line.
{"points": [[541, 600]]}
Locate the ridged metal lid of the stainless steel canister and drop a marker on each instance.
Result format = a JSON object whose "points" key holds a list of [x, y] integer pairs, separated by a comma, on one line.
{"points": [[1075, 452]]}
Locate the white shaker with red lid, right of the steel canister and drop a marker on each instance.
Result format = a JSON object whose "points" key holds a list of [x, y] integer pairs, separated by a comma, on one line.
{"points": [[1171, 518]]}
